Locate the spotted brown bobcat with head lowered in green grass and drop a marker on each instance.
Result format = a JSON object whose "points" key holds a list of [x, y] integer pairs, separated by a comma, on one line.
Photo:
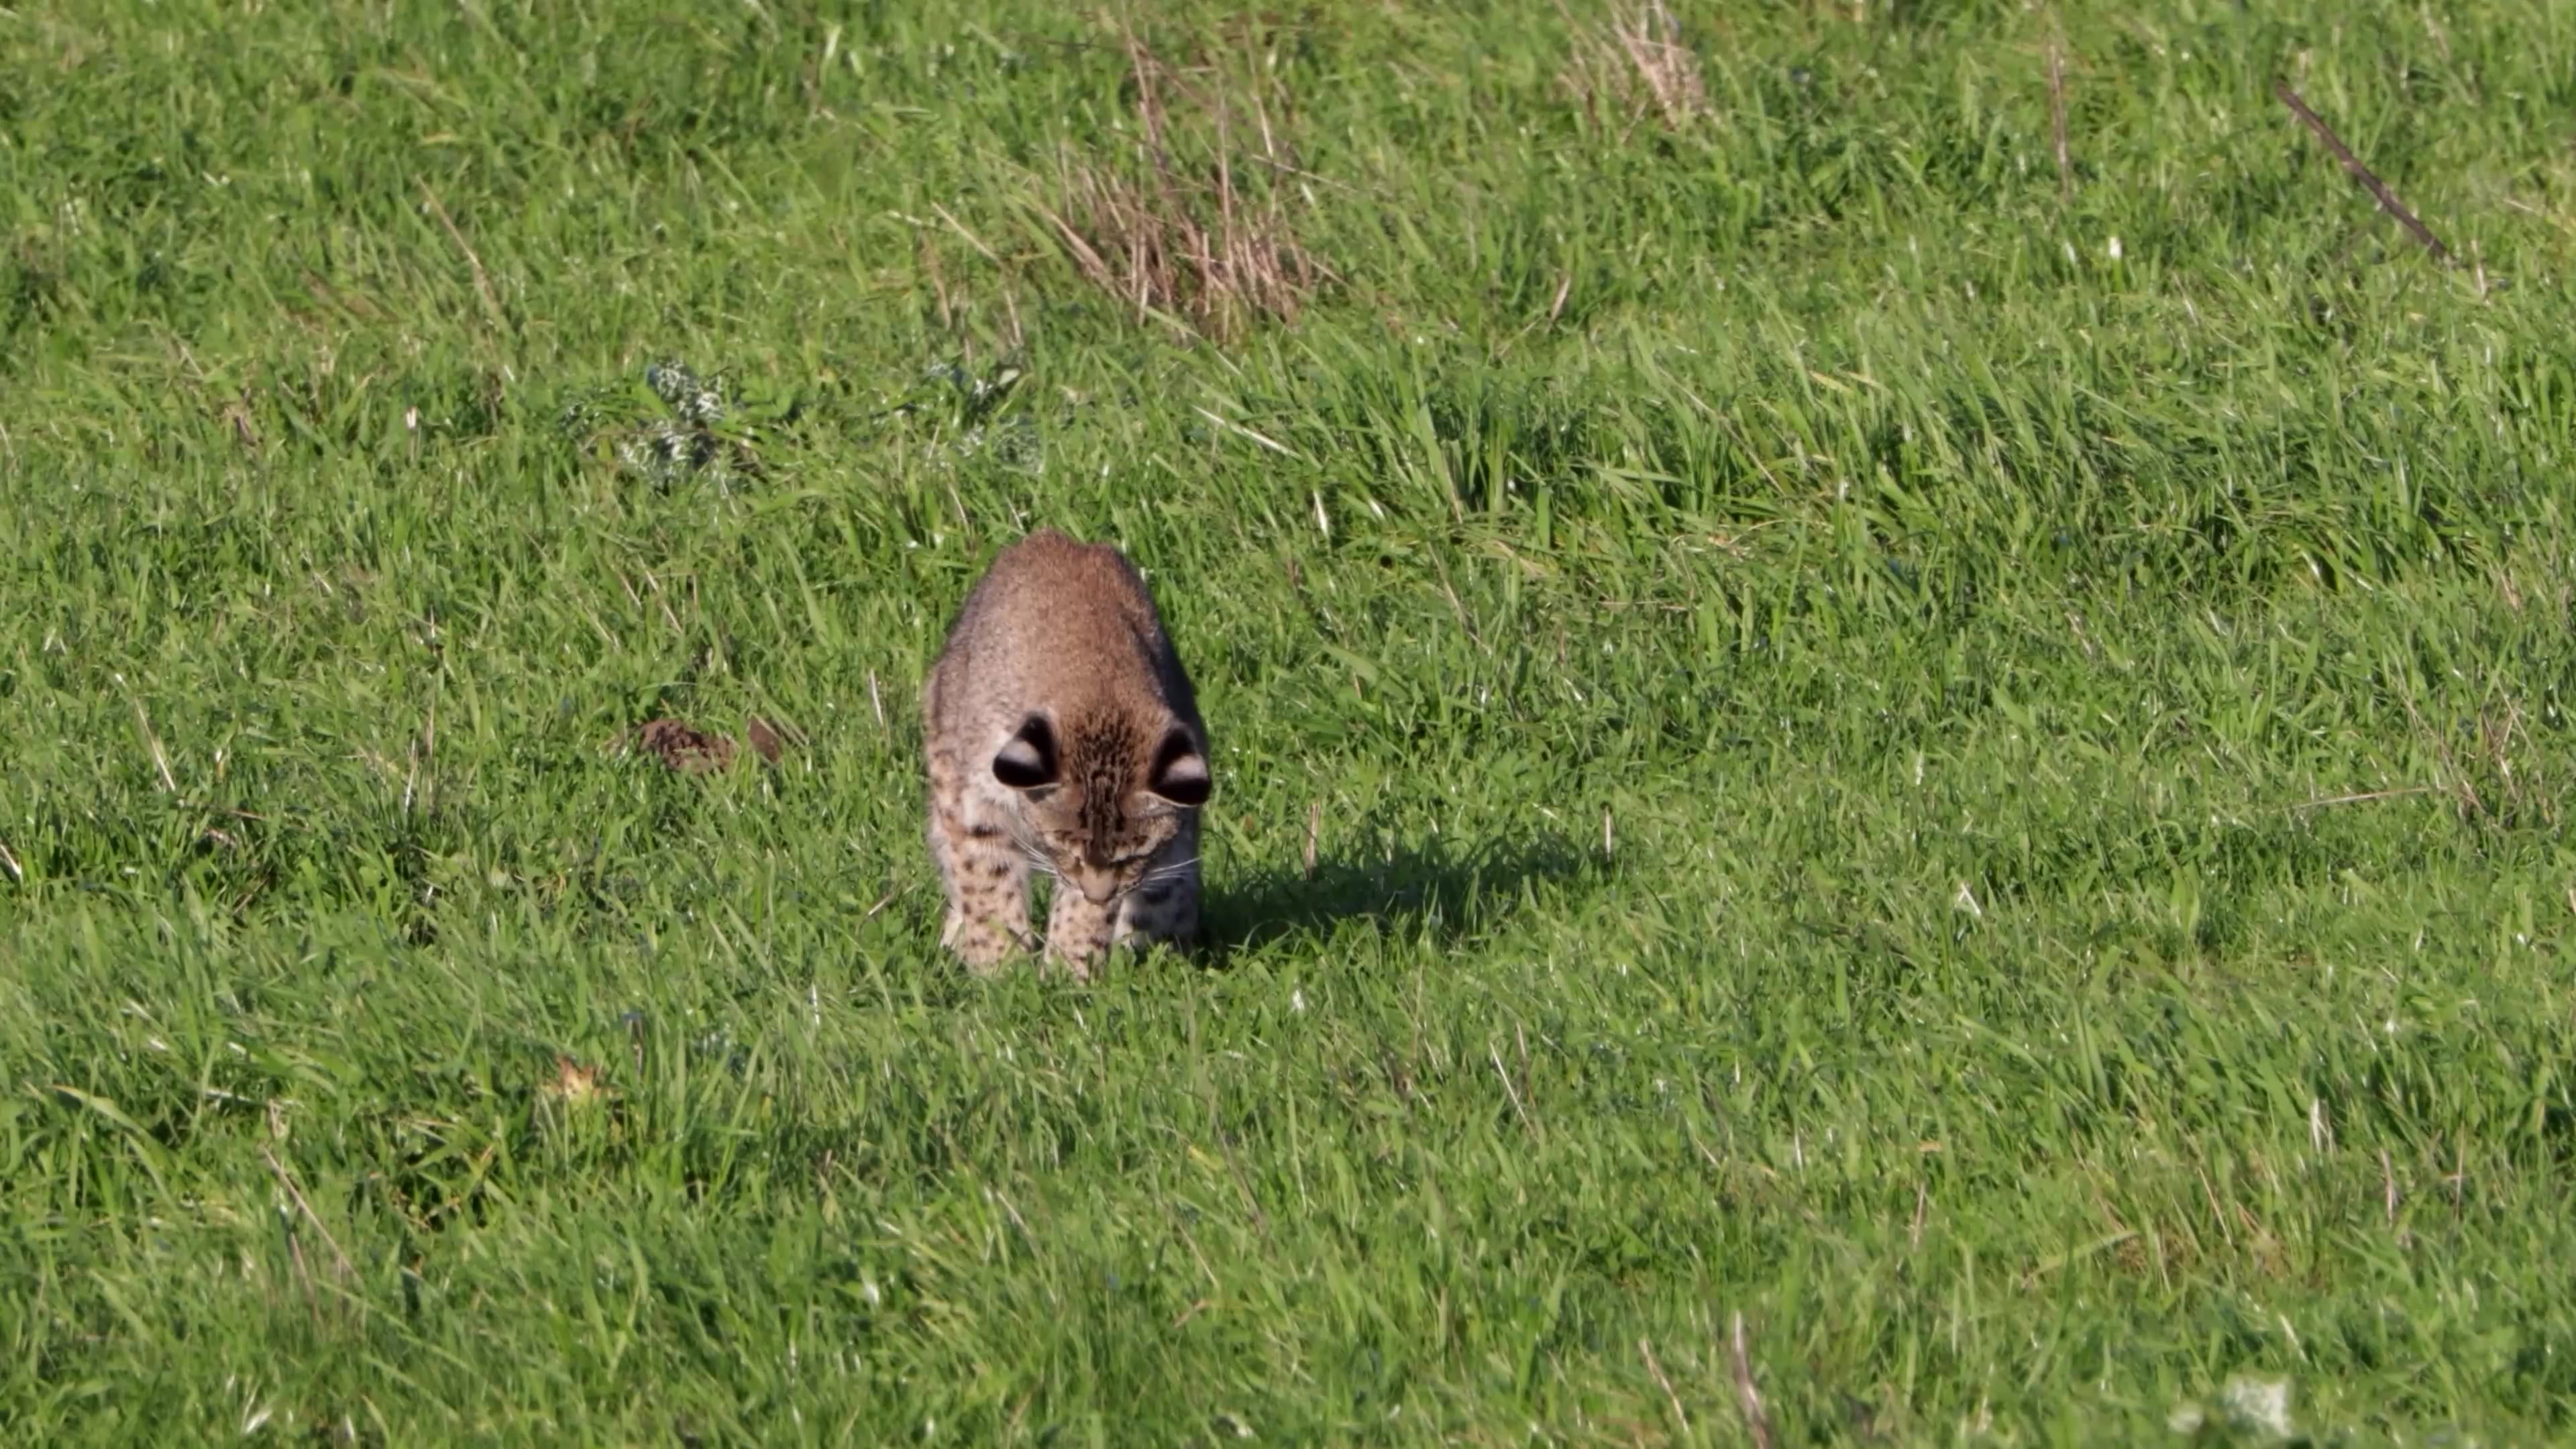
{"points": [[1063, 736]]}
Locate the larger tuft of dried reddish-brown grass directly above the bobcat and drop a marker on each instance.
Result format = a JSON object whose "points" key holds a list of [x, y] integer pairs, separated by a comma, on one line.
{"points": [[1189, 233]]}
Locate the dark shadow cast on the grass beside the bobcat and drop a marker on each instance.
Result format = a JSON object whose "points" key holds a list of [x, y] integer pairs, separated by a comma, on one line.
{"points": [[1416, 891]]}
